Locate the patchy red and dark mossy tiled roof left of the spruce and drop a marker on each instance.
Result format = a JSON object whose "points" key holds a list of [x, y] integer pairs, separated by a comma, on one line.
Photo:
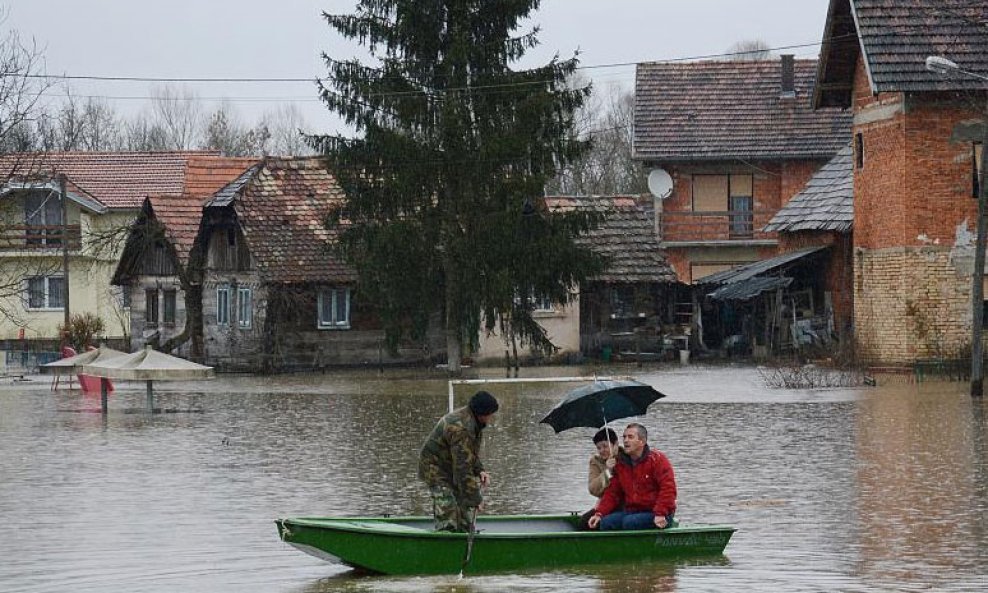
{"points": [[282, 211]]}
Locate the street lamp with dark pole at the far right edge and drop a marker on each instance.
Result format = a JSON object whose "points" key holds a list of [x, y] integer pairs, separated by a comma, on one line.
{"points": [[949, 68]]}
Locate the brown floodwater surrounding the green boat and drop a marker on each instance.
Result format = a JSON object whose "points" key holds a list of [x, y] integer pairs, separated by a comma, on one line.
{"points": [[865, 490]]}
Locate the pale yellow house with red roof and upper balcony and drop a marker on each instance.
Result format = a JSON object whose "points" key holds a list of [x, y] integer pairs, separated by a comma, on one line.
{"points": [[51, 241]]}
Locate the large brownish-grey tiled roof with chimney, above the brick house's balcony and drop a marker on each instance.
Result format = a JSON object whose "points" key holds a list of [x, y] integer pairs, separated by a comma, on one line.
{"points": [[717, 110]]}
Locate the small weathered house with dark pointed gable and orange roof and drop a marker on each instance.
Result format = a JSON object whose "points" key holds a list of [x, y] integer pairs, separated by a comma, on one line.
{"points": [[154, 269]]}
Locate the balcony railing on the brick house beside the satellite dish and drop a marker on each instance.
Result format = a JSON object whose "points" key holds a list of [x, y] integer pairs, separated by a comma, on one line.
{"points": [[729, 225]]}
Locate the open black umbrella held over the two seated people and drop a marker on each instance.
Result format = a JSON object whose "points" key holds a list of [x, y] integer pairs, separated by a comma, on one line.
{"points": [[598, 403]]}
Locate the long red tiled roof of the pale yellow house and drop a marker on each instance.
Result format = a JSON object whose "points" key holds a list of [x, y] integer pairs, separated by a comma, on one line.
{"points": [[118, 179]]}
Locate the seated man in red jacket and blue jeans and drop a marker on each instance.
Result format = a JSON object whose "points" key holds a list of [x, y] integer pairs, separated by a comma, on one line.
{"points": [[643, 486]]}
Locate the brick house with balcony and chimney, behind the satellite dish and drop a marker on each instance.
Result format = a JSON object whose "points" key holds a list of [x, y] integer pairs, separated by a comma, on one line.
{"points": [[739, 139]]}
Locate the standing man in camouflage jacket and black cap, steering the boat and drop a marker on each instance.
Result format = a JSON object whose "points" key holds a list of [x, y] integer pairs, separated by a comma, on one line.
{"points": [[450, 463]]}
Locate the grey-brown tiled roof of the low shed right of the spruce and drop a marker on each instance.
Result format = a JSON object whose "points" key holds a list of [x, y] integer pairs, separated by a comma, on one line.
{"points": [[627, 238]]}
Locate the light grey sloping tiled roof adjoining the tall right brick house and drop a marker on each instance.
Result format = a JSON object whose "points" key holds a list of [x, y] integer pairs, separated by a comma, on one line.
{"points": [[825, 204]]}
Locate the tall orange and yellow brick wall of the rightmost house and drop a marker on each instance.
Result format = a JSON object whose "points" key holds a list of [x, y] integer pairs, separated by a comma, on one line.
{"points": [[913, 226]]}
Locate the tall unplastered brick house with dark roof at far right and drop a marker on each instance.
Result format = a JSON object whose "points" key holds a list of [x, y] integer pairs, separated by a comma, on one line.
{"points": [[916, 141]]}
